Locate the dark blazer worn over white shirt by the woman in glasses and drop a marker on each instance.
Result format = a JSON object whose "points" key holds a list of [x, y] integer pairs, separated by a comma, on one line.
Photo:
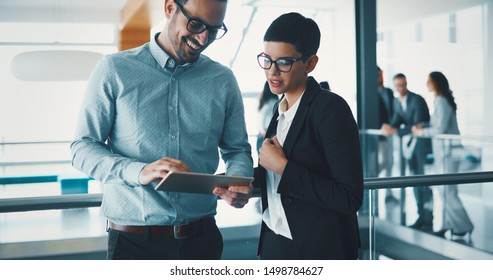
{"points": [[322, 185]]}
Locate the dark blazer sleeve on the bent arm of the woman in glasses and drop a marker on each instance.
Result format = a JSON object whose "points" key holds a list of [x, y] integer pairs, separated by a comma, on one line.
{"points": [[341, 187]]}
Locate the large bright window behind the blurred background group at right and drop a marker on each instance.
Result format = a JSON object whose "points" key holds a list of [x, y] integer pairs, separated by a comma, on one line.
{"points": [[446, 36]]}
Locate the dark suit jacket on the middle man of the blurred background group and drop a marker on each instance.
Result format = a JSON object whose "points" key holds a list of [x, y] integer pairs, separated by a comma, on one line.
{"points": [[416, 113]]}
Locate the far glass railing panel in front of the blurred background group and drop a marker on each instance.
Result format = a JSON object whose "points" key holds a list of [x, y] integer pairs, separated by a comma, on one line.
{"points": [[390, 156]]}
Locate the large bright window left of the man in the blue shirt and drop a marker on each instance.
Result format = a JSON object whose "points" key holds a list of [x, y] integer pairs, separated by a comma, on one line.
{"points": [[42, 110]]}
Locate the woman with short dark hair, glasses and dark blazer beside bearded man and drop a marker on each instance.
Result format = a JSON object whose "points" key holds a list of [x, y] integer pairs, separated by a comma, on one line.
{"points": [[310, 170]]}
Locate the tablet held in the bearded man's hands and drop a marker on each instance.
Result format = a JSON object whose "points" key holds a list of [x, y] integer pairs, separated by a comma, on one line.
{"points": [[198, 182]]}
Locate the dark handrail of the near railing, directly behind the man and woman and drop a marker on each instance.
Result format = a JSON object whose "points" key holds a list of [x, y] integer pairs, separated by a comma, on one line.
{"points": [[94, 200]]}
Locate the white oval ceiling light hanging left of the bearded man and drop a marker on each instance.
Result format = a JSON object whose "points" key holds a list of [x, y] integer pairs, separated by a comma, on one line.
{"points": [[54, 65]]}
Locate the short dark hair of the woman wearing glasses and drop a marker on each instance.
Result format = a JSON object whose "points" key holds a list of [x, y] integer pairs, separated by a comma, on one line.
{"points": [[297, 30]]}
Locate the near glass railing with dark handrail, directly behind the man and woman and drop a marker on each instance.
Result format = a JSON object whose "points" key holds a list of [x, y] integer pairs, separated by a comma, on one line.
{"points": [[385, 228]]}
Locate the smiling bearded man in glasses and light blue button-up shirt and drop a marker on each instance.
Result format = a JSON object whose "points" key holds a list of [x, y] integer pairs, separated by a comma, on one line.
{"points": [[159, 108]]}
